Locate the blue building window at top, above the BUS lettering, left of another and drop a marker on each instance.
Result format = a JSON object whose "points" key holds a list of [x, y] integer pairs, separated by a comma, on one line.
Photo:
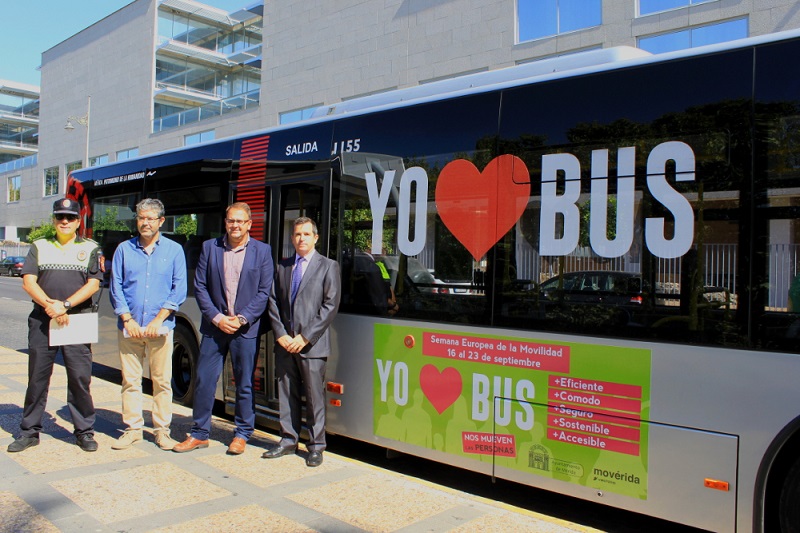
{"points": [[543, 18]]}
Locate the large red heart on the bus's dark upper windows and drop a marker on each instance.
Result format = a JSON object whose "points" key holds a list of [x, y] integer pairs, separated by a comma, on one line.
{"points": [[480, 207]]}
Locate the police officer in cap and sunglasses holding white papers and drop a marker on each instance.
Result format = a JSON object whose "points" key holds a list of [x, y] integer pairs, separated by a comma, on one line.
{"points": [[60, 274]]}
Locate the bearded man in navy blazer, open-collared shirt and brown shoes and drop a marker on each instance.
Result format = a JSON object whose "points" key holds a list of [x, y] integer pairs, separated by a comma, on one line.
{"points": [[232, 284]]}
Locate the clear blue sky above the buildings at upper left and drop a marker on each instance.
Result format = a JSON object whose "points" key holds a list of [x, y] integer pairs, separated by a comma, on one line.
{"points": [[31, 27]]}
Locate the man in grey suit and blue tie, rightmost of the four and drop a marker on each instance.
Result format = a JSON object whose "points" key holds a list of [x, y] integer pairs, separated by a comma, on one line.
{"points": [[303, 303]]}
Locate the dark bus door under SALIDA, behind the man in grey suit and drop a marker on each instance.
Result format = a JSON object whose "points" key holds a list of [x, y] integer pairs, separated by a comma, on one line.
{"points": [[300, 193]]}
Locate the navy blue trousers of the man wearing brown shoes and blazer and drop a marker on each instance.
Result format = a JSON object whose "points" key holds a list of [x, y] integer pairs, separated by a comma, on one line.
{"points": [[210, 361]]}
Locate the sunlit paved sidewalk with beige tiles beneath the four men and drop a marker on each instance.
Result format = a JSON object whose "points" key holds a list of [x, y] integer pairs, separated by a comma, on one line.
{"points": [[57, 487]]}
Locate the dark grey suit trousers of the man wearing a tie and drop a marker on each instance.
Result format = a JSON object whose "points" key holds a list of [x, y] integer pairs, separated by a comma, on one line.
{"points": [[298, 376]]}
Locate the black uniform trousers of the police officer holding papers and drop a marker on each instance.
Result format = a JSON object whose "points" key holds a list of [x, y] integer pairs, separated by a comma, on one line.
{"points": [[41, 358]]}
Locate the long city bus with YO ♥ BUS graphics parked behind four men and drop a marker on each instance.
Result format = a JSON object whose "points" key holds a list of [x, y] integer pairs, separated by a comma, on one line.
{"points": [[584, 280]]}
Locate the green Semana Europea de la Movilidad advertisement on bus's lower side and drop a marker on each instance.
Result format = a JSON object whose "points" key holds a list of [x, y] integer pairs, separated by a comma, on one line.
{"points": [[564, 410]]}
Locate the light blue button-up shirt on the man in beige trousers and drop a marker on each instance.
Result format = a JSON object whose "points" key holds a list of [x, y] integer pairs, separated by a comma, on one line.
{"points": [[142, 284]]}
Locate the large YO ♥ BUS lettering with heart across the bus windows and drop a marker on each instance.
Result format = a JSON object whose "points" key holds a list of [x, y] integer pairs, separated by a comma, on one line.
{"points": [[480, 206]]}
